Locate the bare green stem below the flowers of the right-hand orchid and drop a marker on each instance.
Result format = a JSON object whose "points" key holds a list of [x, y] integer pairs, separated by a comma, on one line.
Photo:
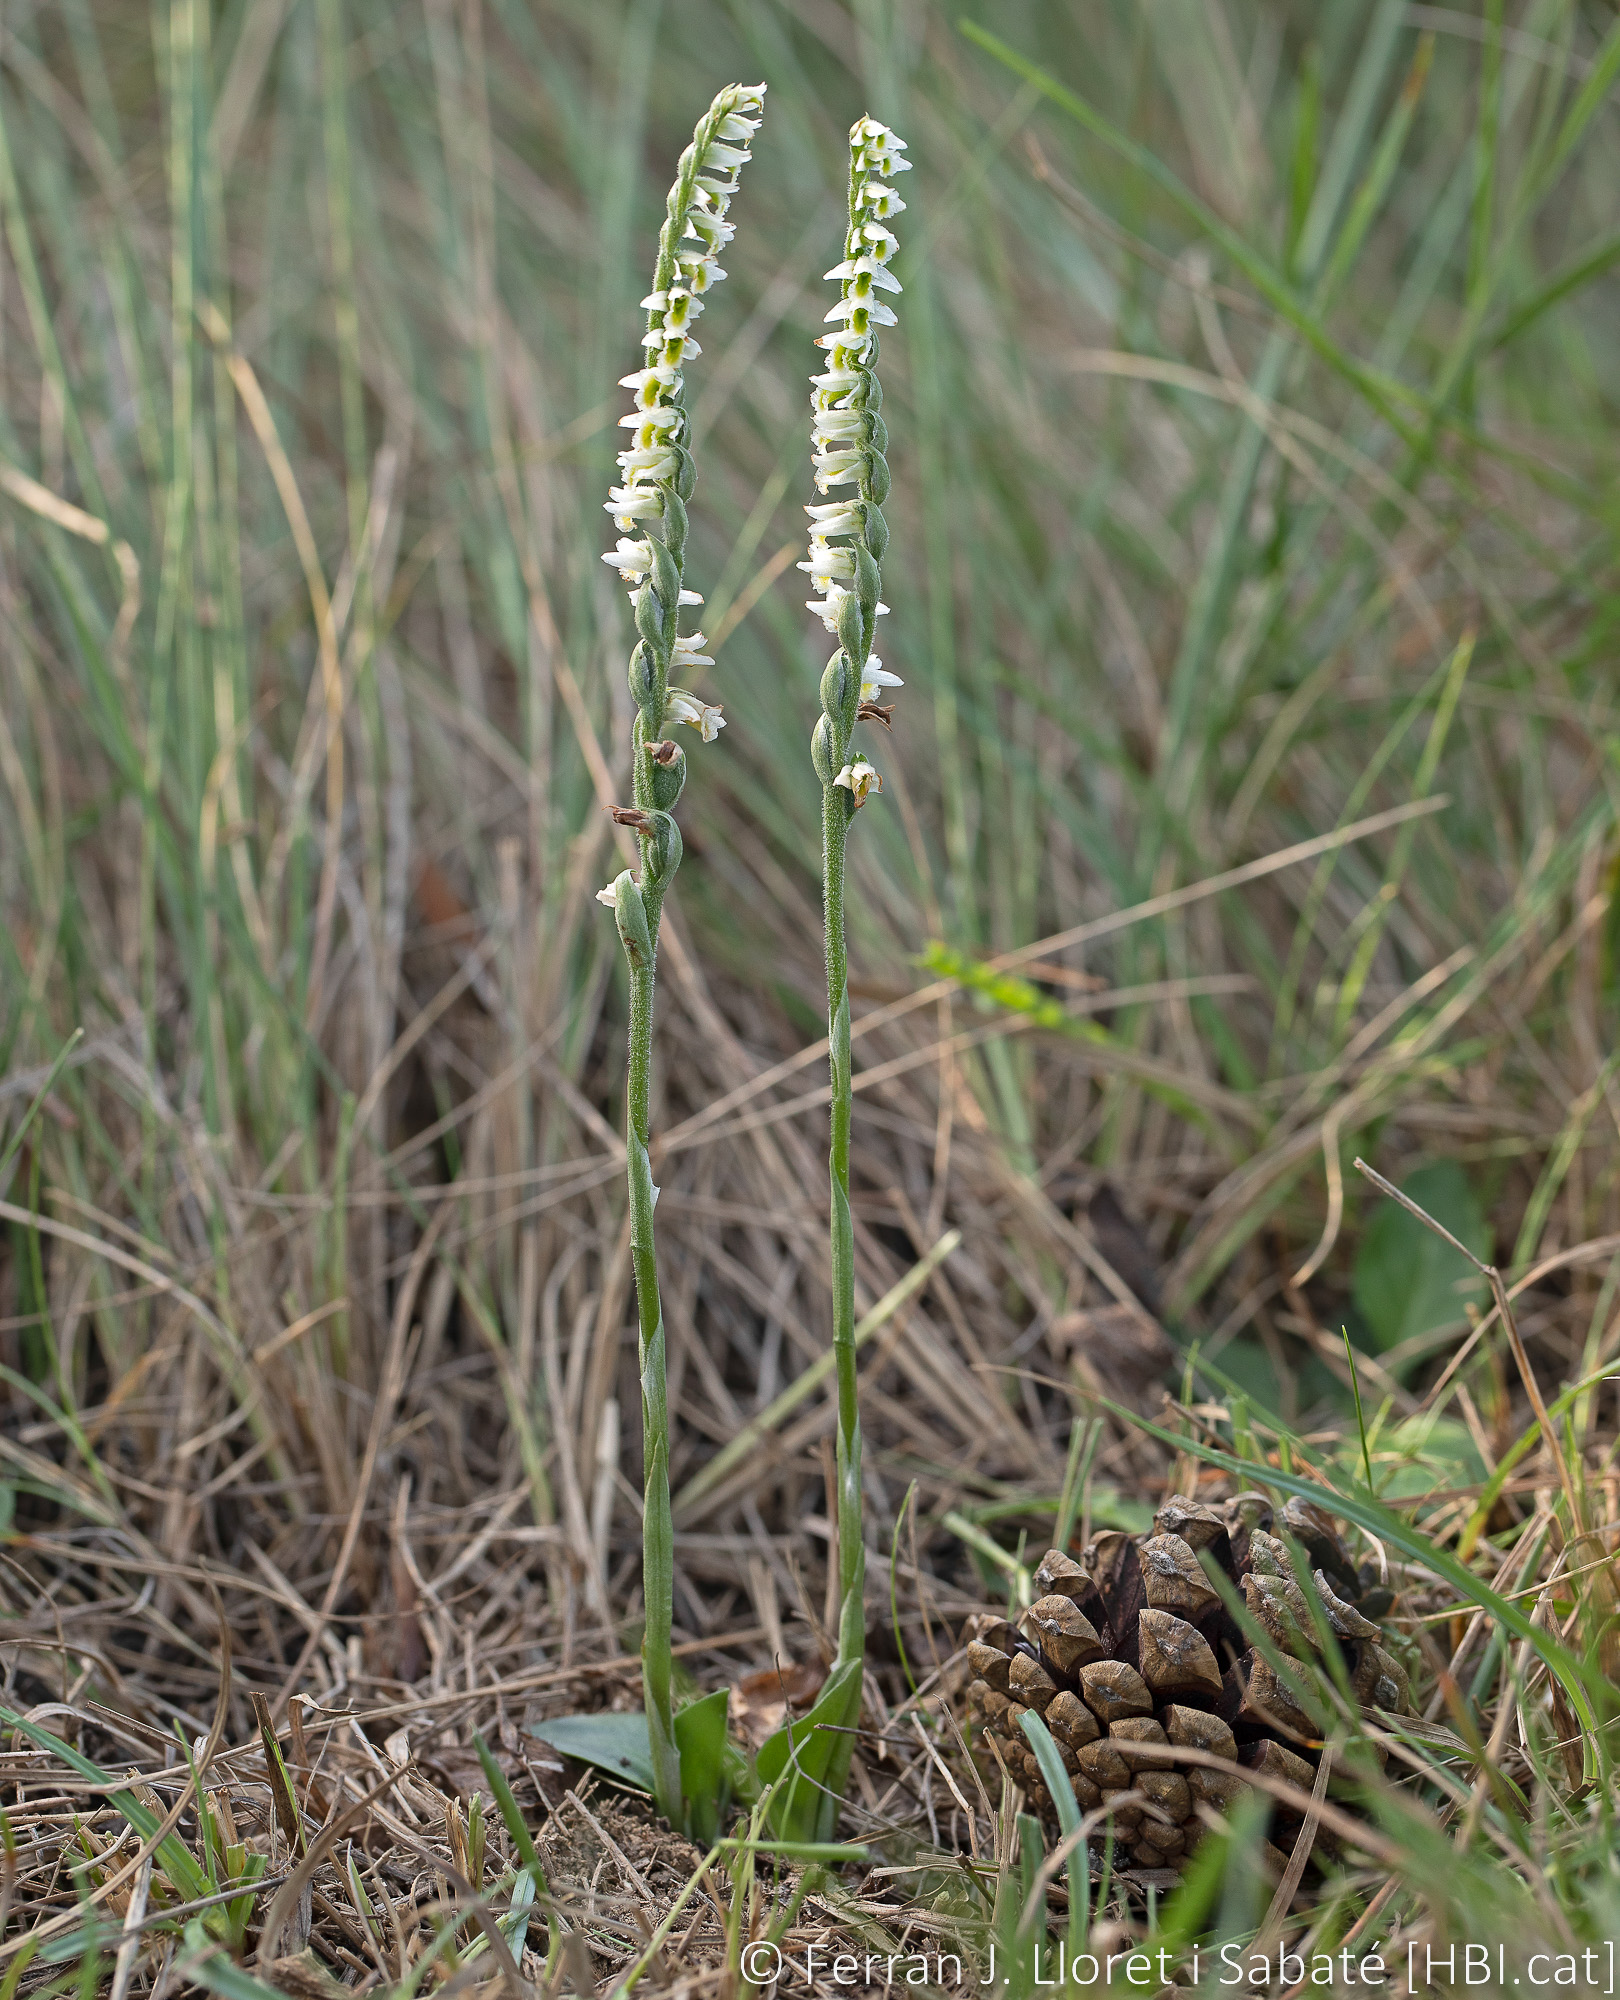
{"points": [[837, 809]]}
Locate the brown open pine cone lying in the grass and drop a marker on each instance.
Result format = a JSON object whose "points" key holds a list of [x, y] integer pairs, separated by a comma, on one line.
{"points": [[1133, 1647]]}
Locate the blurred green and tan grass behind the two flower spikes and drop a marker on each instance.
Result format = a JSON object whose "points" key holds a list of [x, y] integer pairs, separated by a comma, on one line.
{"points": [[1253, 475]]}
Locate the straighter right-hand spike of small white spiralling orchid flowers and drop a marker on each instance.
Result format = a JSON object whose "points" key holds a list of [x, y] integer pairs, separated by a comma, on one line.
{"points": [[849, 443]]}
